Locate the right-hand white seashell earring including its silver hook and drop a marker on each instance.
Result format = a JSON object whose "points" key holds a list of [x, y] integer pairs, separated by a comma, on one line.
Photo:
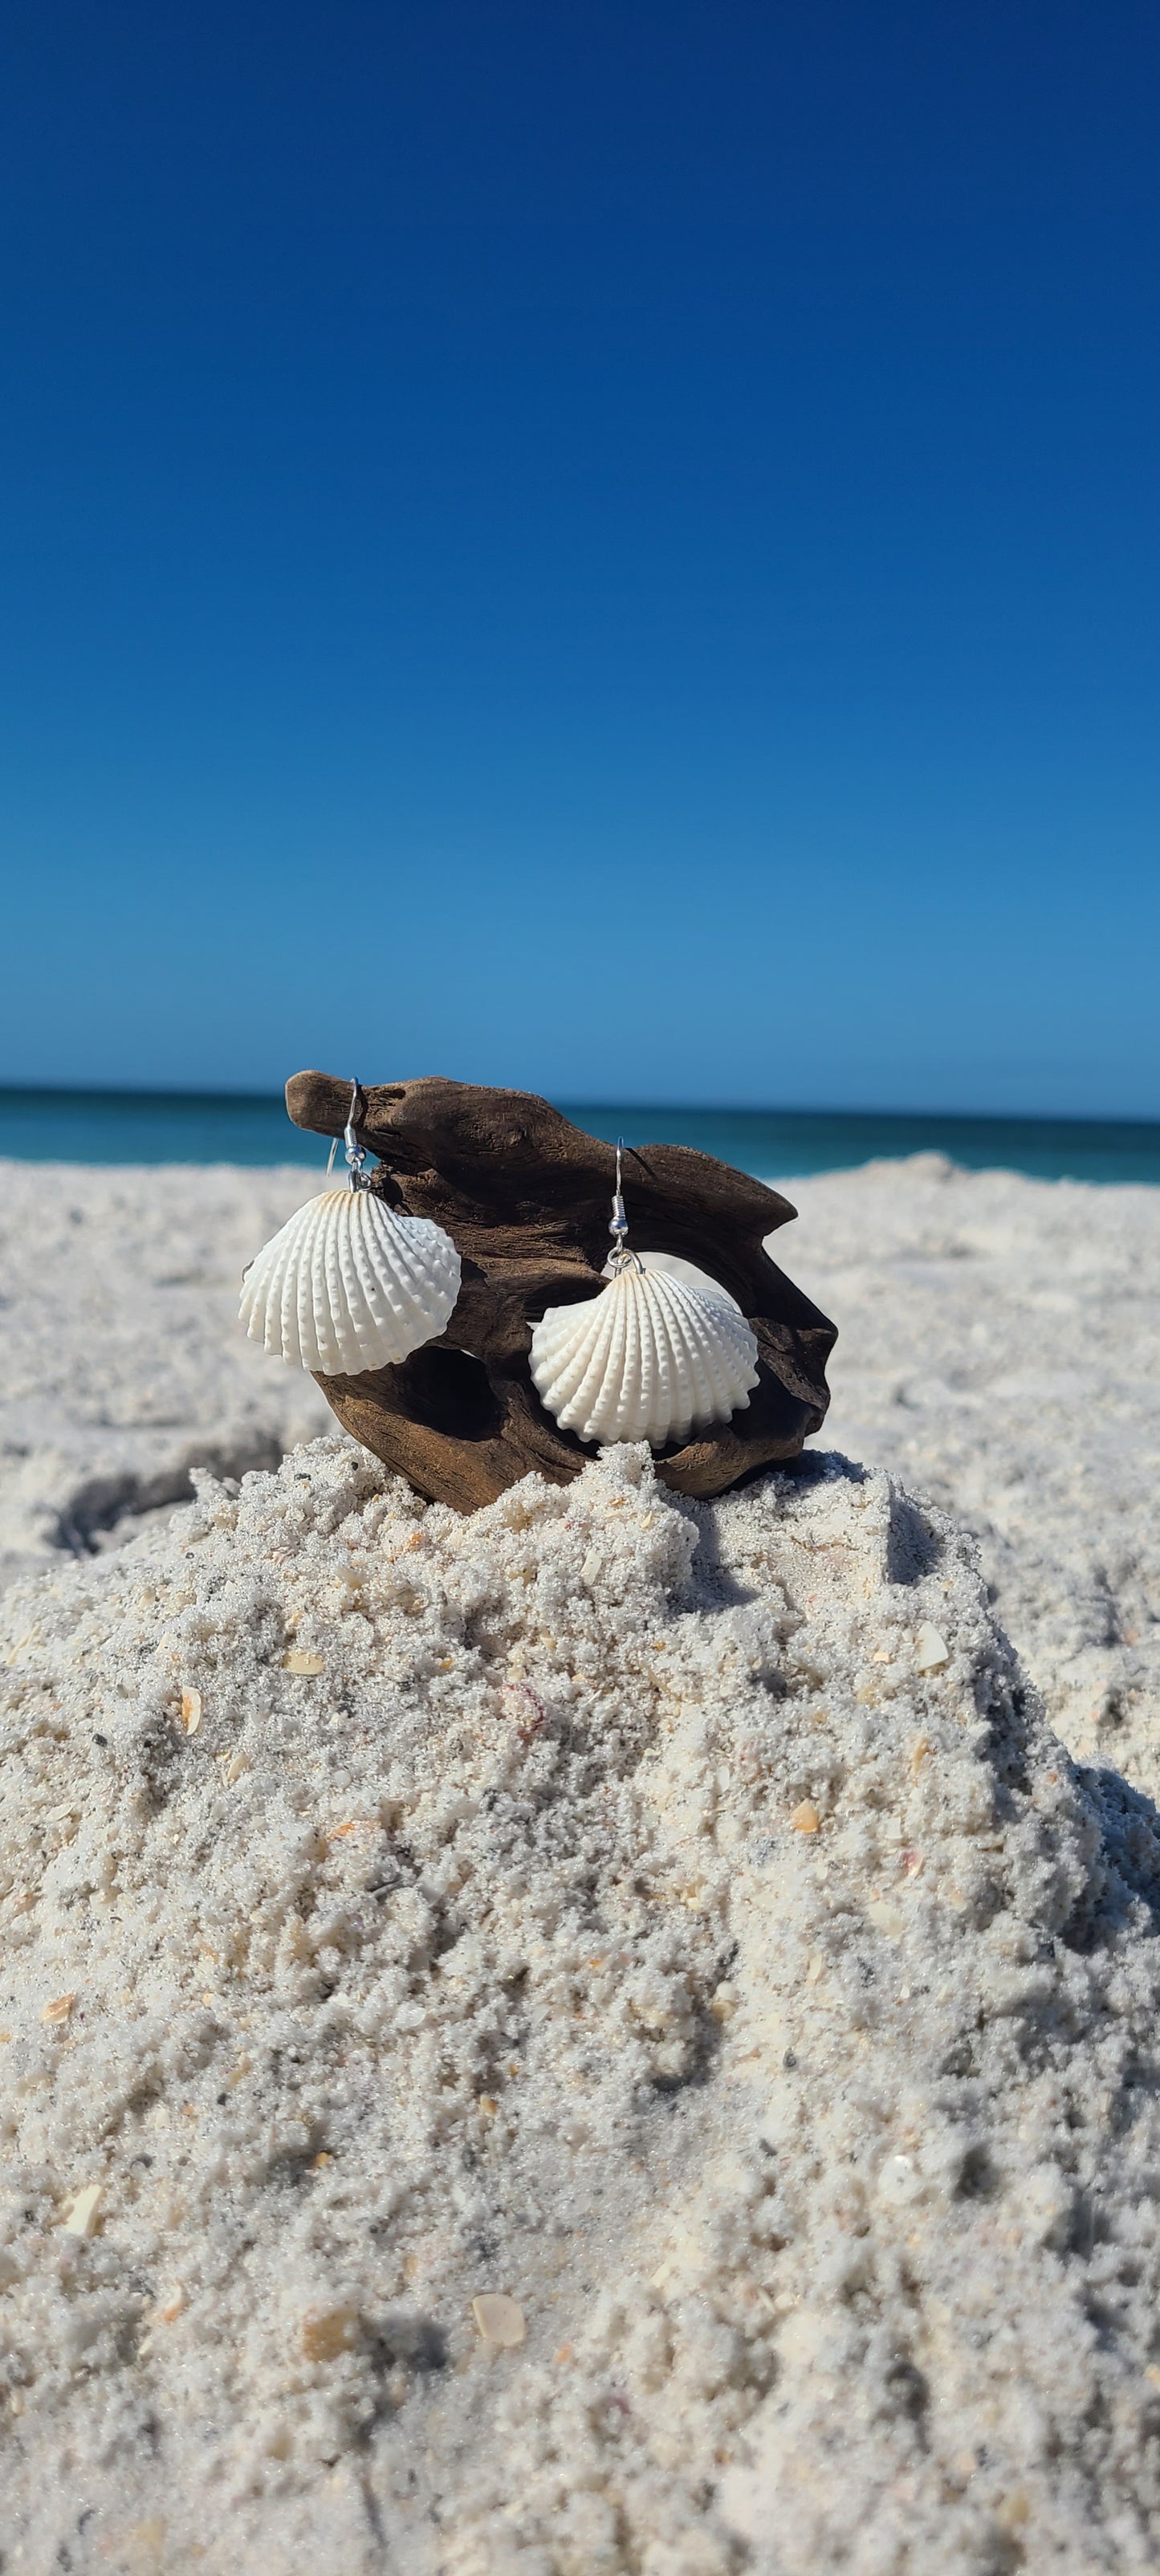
{"points": [[651, 1359]]}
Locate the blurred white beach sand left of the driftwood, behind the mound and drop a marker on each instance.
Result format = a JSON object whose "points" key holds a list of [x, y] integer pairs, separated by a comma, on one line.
{"points": [[122, 1359]]}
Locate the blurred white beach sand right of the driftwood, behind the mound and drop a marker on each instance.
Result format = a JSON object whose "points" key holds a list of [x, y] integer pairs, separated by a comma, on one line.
{"points": [[1001, 1351]]}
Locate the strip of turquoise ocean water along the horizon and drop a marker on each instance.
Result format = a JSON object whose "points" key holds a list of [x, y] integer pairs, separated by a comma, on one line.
{"points": [[775, 1145]]}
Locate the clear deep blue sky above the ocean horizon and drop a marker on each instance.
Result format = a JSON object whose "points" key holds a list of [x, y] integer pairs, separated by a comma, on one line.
{"points": [[586, 545]]}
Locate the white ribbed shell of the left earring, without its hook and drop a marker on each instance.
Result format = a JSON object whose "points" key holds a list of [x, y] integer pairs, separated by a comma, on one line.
{"points": [[349, 1284]]}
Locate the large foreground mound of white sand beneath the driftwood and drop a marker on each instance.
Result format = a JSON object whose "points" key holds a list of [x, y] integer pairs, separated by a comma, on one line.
{"points": [[666, 1926]]}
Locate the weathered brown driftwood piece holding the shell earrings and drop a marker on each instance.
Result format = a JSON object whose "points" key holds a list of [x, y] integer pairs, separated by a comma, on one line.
{"points": [[527, 1202]]}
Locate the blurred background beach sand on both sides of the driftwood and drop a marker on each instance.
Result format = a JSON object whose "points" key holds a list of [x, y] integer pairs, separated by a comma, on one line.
{"points": [[999, 1351]]}
